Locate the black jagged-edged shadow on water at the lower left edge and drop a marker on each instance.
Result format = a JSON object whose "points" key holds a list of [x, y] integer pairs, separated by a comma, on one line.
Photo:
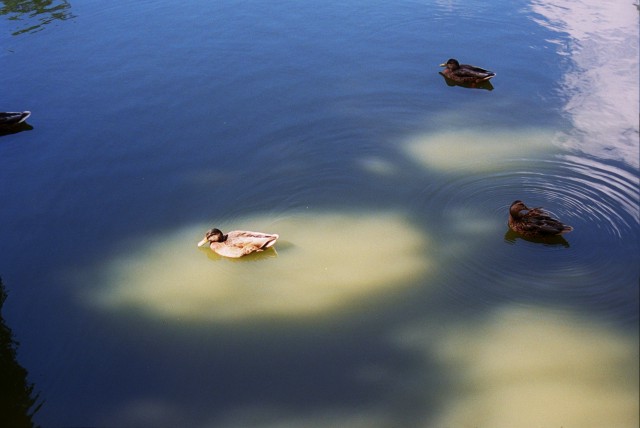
{"points": [[18, 403]]}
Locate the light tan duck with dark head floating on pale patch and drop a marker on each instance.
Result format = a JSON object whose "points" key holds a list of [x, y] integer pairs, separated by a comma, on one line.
{"points": [[237, 243]]}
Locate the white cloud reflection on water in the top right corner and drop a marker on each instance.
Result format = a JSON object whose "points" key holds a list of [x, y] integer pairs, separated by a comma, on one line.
{"points": [[601, 86]]}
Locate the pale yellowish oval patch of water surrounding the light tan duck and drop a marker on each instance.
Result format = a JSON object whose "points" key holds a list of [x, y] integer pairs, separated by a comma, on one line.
{"points": [[324, 262]]}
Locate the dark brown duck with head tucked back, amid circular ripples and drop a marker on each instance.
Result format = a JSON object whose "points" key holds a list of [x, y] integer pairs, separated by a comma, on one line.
{"points": [[534, 222]]}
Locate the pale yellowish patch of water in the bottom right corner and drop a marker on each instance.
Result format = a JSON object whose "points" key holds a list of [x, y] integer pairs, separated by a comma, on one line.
{"points": [[533, 367]]}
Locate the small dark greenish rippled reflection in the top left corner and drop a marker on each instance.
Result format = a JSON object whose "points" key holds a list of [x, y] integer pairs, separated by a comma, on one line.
{"points": [[34, 15]]}
